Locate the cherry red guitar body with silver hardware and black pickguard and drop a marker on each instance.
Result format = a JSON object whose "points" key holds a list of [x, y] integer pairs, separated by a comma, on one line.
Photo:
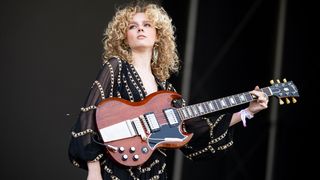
{"points": [[115, 115]]}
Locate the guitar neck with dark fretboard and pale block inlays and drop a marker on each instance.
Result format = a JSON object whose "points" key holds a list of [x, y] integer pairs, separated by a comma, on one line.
{"points": [[207, 107]]}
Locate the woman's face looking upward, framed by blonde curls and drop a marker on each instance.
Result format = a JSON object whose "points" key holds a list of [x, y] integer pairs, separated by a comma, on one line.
{"points": [[141, 33]]}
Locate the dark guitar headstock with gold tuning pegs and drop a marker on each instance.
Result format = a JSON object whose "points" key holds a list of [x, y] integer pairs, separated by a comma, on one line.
{"points": [[284, 90]]}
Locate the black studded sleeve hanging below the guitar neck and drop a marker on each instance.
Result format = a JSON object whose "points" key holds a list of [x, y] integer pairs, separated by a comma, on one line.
{"points": [[212, 135]]}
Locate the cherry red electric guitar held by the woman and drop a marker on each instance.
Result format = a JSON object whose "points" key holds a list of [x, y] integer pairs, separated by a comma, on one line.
{"points": [[131, 131]]}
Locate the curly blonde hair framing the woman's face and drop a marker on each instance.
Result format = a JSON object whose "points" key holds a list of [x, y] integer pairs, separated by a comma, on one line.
{"points": [[115, 36]]}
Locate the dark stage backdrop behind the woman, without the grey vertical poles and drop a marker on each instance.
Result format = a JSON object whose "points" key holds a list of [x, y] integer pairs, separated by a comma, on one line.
{"points": [[50, 52]]}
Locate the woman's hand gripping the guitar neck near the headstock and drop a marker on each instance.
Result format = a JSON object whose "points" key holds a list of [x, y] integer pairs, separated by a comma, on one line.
{"points": [[261, 101]]}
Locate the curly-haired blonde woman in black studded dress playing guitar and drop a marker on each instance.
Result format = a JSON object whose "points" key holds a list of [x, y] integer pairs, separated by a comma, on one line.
{"points": [[140, 54]]}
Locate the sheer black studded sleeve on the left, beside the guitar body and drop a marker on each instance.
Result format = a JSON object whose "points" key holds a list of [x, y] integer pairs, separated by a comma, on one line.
{"points": [[83, 146]]}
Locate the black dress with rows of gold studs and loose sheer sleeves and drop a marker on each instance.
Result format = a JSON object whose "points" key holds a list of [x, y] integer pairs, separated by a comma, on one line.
{"points": [[117, 78]]}
